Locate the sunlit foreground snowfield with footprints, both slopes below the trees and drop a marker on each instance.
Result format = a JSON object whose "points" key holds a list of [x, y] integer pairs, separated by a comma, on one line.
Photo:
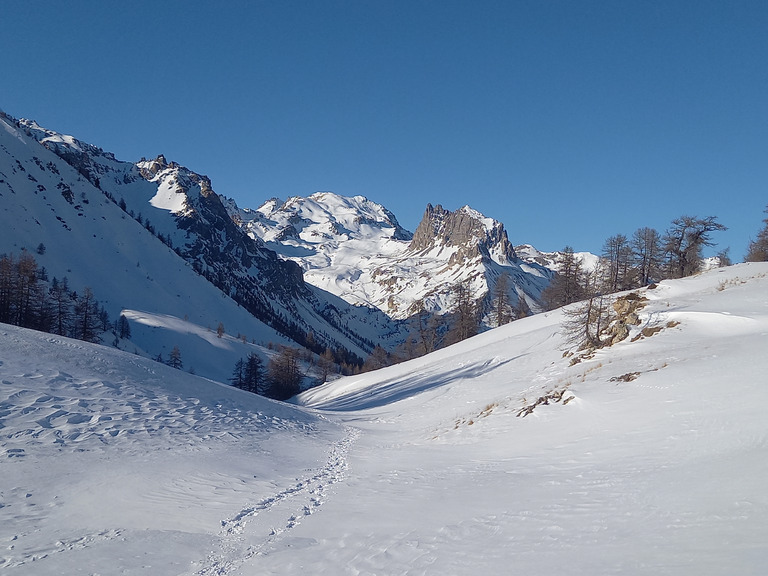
{"points": [[494, 456]]}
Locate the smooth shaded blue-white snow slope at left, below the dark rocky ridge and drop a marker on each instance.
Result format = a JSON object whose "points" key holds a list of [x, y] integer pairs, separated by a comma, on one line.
{"points": [[92, 242]]}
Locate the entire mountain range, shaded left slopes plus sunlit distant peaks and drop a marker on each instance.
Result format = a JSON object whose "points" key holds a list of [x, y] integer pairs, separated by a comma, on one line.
{"points": [[154, 242]]}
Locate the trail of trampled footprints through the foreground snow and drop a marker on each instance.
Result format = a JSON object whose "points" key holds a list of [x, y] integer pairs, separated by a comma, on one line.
{"points": [[258, 527]]}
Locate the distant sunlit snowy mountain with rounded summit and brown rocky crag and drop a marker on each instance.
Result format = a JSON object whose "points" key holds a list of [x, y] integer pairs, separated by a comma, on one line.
{"points": [[356, 249]]}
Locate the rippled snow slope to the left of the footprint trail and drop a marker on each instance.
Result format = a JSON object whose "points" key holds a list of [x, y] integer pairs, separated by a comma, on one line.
{"points": [[103, 453]]}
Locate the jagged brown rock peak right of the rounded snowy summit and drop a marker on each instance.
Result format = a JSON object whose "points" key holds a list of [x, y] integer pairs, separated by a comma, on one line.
{"points": [[467, 229]]}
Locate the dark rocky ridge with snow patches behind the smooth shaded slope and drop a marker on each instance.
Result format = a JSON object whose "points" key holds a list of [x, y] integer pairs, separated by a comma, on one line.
{"points": [[180, 208]]}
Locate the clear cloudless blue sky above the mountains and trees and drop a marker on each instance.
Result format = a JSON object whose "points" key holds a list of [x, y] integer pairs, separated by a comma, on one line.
{"points": [[569, 121]]}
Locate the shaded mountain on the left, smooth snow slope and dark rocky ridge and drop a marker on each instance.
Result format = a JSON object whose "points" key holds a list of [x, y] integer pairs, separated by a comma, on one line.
{"points": [[154, 241]]}
